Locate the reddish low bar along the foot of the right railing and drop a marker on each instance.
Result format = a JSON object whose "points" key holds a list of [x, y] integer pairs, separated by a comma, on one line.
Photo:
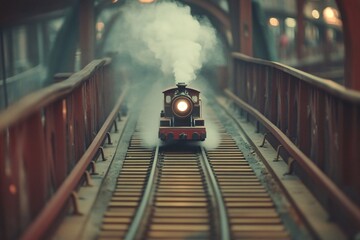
{"points": [[315, 173]]}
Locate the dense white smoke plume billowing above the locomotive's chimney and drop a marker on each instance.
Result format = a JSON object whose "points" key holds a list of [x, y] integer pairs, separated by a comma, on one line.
{"points": [[166, 35]]}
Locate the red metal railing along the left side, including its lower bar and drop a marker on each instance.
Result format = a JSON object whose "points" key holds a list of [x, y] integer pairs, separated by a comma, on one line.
{"points": [[47, 141]]}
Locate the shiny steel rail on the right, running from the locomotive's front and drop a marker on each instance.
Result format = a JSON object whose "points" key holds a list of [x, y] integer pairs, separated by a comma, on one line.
{"points": [[223, 217]]}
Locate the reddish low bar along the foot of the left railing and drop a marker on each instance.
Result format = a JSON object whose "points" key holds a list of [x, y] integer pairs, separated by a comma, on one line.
{"points": [[48, 215]]}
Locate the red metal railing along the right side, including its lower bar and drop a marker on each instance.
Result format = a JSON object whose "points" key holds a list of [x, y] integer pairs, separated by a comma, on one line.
{"points": [[317, 121]]}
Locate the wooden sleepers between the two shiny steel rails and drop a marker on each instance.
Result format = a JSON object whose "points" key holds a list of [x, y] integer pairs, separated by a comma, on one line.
{"points": [[181, 207]]}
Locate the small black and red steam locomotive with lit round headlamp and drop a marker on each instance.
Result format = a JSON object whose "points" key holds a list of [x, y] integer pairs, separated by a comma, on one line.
{"points": [[181, 117]]}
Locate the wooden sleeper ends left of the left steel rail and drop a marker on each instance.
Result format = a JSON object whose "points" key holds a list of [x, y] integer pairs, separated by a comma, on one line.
{"points": [[129, 190]]}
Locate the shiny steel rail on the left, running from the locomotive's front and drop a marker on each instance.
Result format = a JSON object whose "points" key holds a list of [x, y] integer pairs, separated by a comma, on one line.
{"points": [[140, 213]]}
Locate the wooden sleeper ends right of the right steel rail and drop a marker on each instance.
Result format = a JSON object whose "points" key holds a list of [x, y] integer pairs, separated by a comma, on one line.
{"points": [[251, 212]]}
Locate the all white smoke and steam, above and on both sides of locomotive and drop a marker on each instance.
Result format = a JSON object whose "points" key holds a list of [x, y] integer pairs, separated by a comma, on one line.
{"points": [[162, 41]]}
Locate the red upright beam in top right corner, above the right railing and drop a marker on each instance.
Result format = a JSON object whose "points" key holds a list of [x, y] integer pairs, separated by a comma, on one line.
{"points": [[350, 10]]}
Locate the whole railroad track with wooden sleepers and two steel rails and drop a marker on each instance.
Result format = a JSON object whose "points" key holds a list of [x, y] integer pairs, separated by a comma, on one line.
{"points": [[190, 193]]}
